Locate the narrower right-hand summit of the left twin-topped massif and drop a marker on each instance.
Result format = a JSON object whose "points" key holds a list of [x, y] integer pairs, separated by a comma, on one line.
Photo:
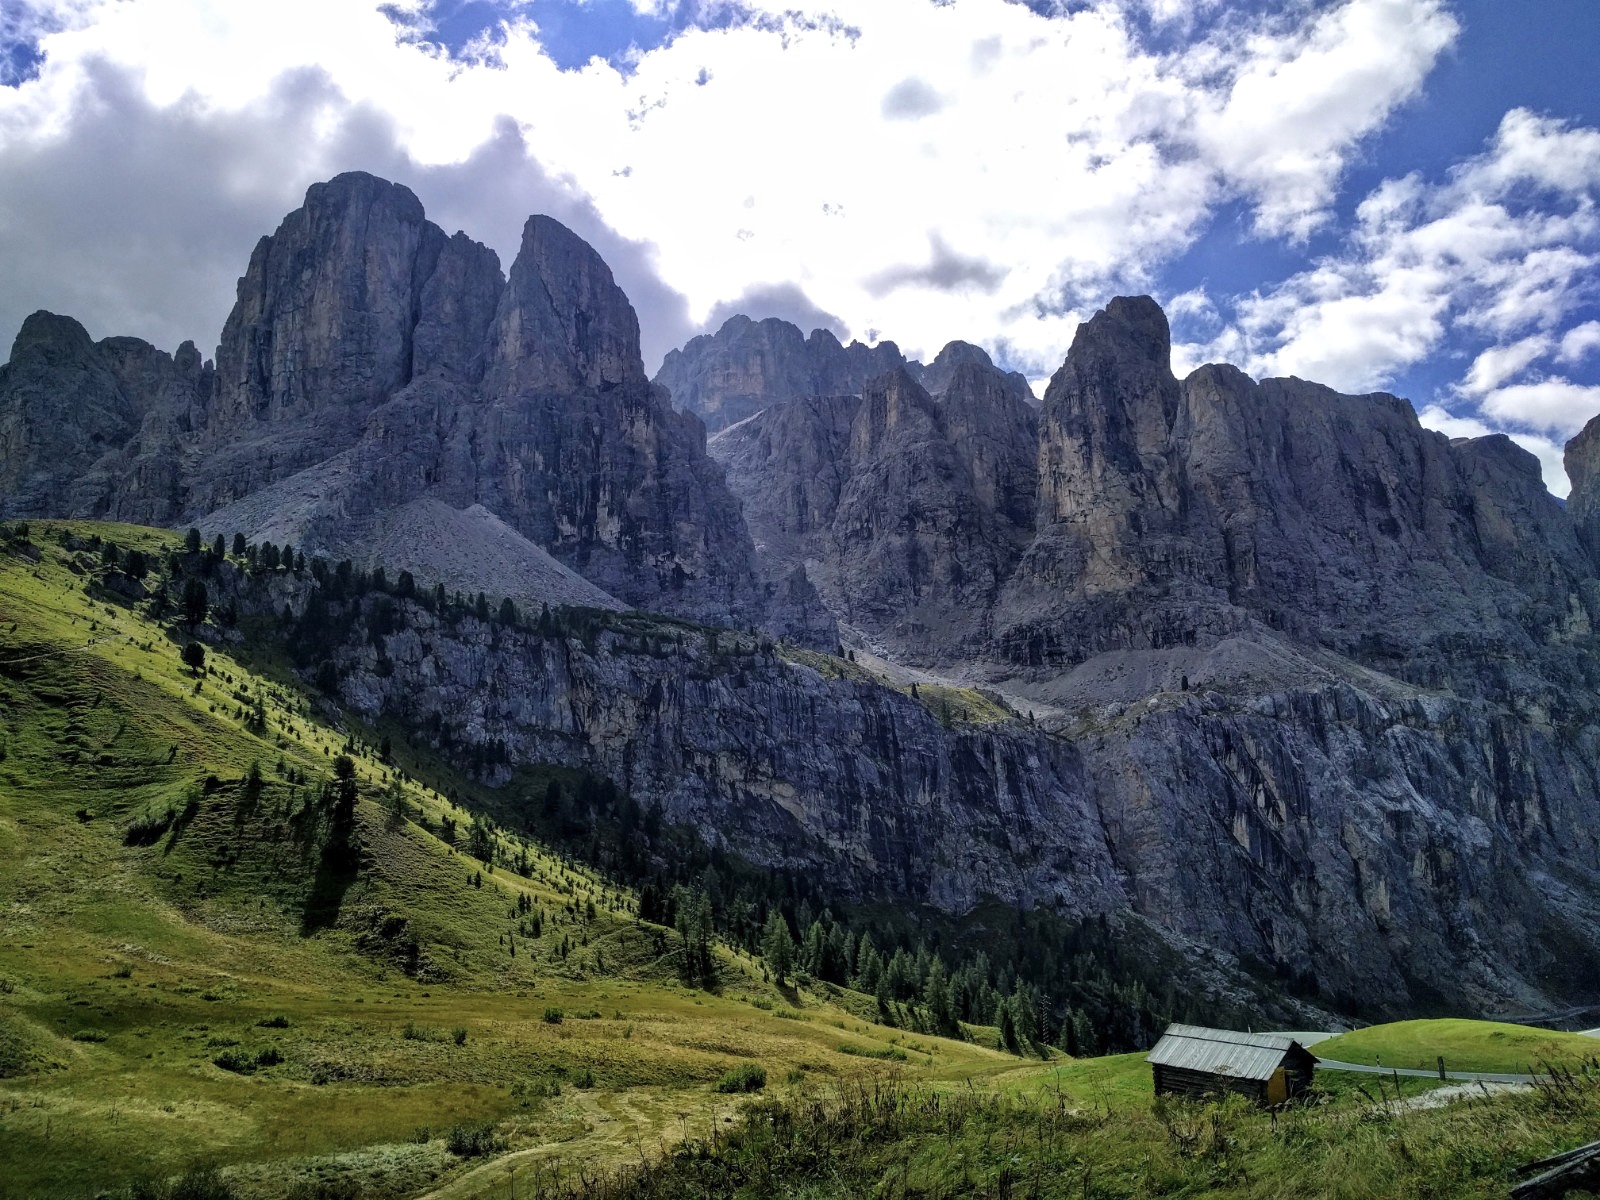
{"points": [[562, 322]]}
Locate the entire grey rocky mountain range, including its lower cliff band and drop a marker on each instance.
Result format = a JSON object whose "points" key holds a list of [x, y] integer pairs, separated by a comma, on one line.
{"points": [[1310, 690]]}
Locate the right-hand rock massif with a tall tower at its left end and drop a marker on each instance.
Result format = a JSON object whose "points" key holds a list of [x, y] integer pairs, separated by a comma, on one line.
{"points": [[1170, 514]]}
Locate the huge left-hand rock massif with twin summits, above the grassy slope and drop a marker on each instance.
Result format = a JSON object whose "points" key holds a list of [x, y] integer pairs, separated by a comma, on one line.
{"points": [[372, 364]]}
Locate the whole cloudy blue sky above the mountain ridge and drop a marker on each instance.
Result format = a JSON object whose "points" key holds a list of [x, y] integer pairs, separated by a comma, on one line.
{"points": [[1377, 194]]}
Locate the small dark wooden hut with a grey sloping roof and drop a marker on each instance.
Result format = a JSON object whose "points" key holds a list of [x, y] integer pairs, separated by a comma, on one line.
{"points": [[1196, 1062]]}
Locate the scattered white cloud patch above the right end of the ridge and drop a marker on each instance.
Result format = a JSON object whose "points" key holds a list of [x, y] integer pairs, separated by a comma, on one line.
{"points": [[1502, 249]]}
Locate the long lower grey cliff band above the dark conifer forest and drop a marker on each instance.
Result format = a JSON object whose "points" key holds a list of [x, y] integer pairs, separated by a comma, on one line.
{"points": [[1407, 849]]}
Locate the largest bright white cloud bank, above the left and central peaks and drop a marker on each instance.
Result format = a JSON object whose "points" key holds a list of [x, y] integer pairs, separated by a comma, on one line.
{"points": [[1054, 156]]}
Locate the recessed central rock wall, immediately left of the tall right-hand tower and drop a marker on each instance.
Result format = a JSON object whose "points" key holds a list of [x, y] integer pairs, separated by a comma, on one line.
{"points": [[906, 511]]}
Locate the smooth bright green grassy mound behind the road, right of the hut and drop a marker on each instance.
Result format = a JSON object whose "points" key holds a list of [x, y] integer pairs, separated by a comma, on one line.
{"points": [[1466, 1046]]}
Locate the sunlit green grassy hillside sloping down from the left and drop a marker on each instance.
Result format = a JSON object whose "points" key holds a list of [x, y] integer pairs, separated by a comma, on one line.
{"points": [[190, 974]]}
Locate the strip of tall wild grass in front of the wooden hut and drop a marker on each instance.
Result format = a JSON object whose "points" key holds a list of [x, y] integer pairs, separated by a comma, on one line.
{"points": [[882, 1137]]}
